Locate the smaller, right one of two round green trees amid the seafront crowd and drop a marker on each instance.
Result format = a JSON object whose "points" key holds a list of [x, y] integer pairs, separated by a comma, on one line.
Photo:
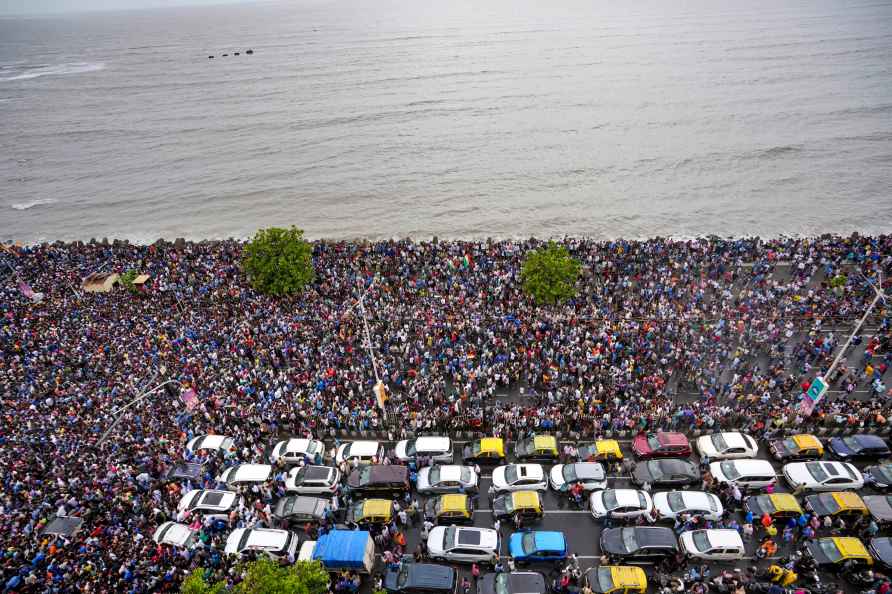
{"points": [[549, 274]]}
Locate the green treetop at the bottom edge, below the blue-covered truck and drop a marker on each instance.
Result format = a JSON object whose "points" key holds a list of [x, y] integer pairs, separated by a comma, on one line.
{"points": [[266, 576]]}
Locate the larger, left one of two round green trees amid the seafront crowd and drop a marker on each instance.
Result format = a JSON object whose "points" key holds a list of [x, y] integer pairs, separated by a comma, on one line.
{"points": [[279, 261]]}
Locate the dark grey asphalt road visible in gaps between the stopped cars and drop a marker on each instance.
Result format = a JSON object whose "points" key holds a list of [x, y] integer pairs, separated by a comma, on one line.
{"points": [[582, 531]]}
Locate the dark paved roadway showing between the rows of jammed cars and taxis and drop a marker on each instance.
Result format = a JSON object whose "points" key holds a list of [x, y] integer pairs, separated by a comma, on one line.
{"points": [[582, 531]]}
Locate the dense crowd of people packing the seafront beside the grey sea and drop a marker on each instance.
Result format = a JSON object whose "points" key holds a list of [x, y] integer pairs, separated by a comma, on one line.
{"points": [[703, 333]]}
